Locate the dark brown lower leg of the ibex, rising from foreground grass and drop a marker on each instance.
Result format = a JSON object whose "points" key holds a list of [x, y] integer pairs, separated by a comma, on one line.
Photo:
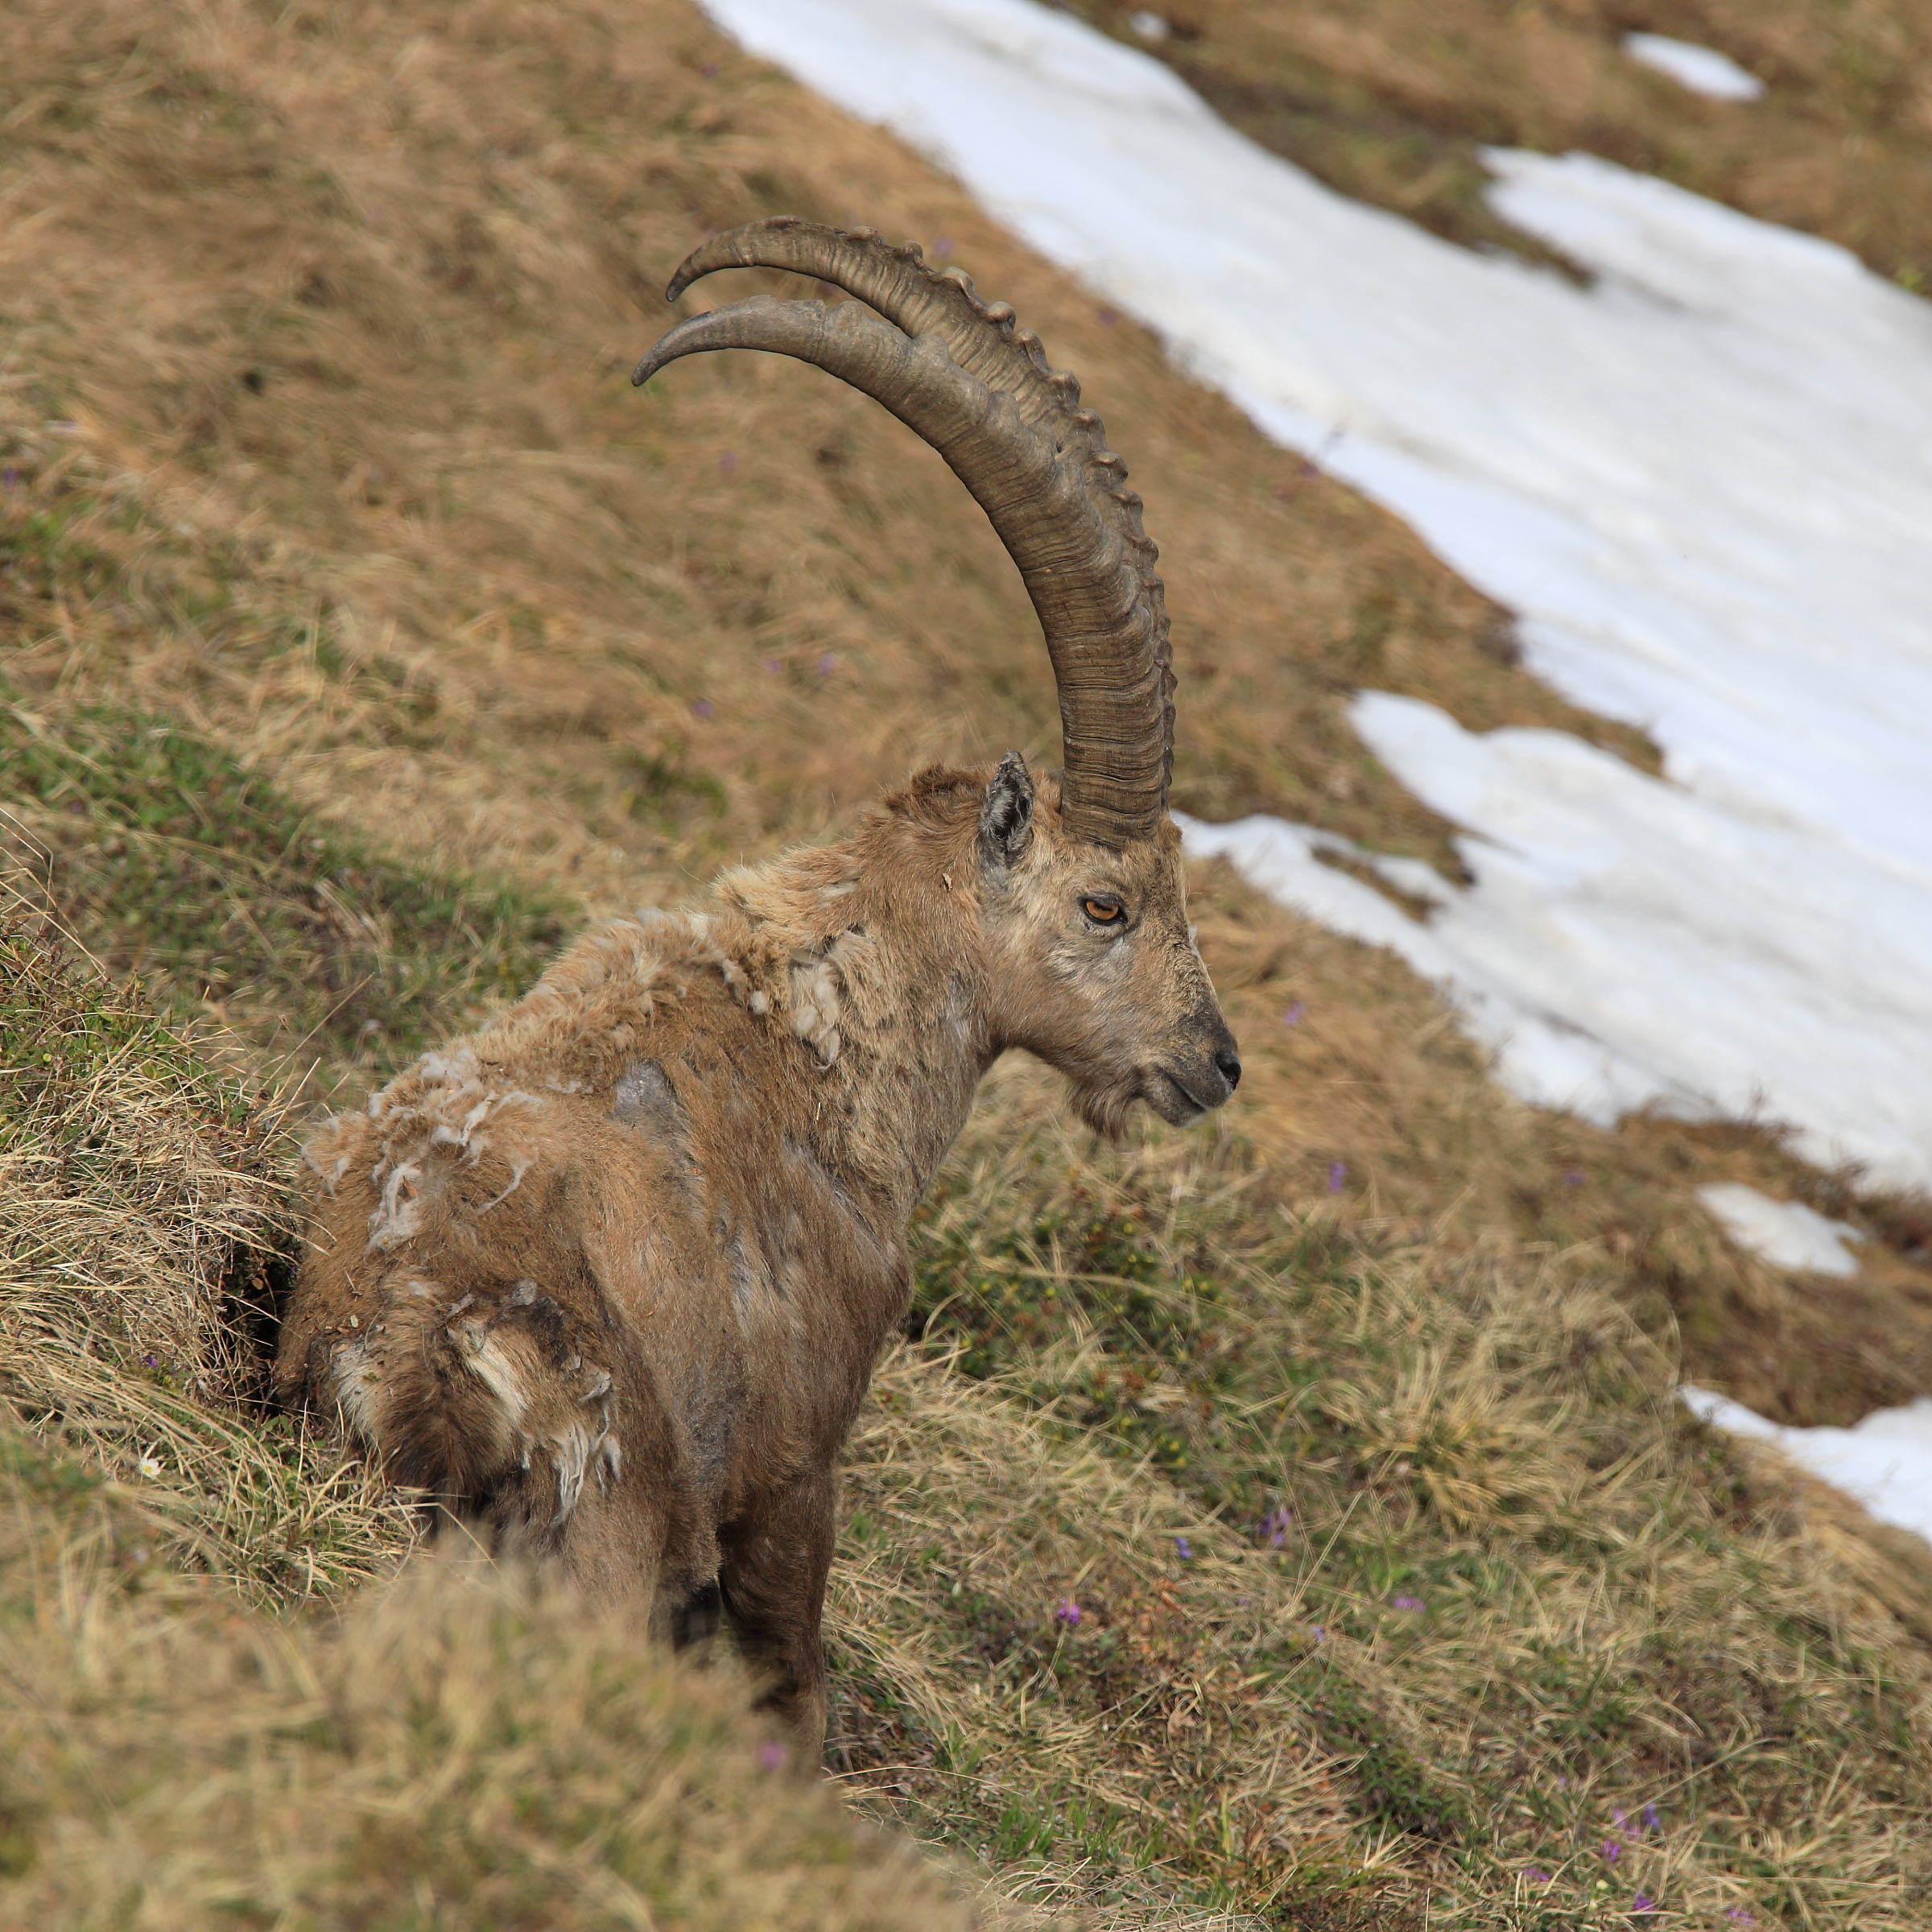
{"points": [[776, 1562]]}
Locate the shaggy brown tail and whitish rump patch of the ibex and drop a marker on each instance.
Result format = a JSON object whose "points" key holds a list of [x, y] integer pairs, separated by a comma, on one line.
{"points": [[486, 1402]]}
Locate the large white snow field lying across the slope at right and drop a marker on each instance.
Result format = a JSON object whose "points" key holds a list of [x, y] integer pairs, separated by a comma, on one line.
{"points": [[1705, 488]]}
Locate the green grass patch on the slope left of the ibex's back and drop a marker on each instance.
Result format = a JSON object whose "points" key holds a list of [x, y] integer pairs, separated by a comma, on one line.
{"points": [[171, 859]]}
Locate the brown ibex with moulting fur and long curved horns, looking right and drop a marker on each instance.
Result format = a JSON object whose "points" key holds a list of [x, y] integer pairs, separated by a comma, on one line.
{"points": [[608, 1278]]}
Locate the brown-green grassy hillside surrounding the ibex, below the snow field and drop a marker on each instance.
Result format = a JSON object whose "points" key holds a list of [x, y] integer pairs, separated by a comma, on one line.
{"points": [[1286, 1521]]}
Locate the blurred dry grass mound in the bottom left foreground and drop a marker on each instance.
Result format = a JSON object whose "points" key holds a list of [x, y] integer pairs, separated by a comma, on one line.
{"points": [[461, 1751]]}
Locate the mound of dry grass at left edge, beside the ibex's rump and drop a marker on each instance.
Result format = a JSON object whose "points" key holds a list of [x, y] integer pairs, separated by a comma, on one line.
{"points": [[146, 1214]]}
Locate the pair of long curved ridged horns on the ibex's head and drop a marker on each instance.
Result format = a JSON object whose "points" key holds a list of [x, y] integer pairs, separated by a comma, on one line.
{"points": [[979, 389]]}
